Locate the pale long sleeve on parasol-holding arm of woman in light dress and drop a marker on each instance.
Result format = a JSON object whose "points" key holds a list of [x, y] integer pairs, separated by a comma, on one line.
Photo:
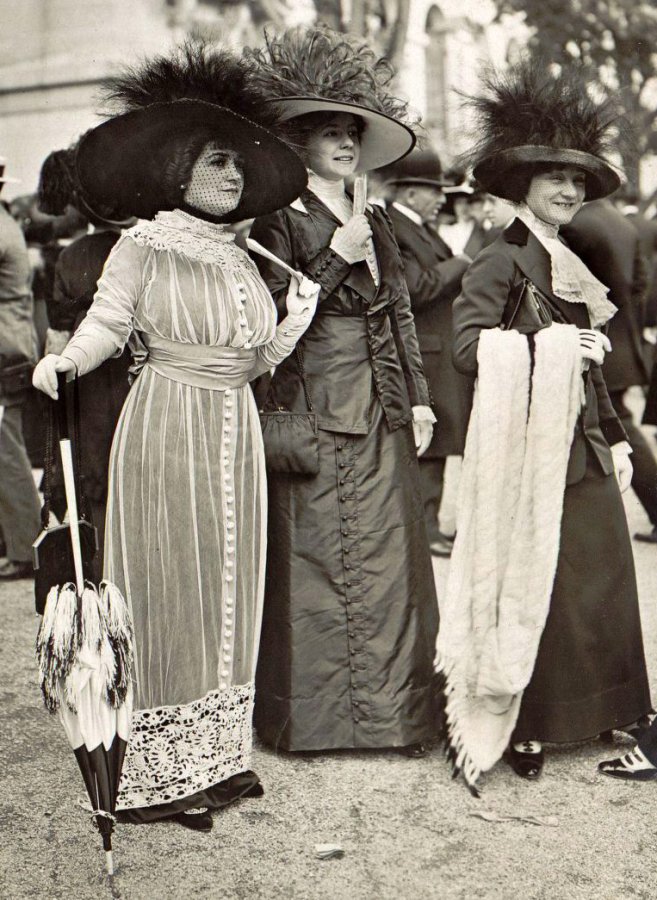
{"points": [[109, 322]]}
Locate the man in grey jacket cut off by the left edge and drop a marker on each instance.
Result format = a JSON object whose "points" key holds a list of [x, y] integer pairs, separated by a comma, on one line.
{"points": [[19, 501]]}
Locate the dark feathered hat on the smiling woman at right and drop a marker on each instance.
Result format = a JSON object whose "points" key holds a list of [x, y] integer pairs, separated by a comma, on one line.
{"points": [[526, 116]]}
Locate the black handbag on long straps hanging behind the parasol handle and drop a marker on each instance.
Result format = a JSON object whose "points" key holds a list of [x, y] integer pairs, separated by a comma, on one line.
{"points": [[52, 551]]}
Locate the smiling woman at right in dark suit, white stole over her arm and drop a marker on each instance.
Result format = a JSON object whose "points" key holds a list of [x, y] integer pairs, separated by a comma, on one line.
{"points": [[589, 671]]}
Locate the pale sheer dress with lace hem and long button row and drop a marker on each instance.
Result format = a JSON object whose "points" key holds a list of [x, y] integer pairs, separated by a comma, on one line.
{"points": [[186, 519]]}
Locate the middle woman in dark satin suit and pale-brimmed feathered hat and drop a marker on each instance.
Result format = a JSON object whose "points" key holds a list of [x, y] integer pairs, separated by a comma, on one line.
{"points": [[350, 613]]}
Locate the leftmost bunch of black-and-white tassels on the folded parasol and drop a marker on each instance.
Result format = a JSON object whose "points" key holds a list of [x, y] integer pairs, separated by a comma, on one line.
{"points": [[57, 642]]}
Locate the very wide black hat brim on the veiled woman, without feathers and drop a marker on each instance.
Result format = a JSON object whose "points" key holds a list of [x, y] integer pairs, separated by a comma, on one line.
{"points": [[117, 161]]}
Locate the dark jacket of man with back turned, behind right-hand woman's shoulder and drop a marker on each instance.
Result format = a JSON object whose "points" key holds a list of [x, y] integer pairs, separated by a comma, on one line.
{"points": [[610, 246]]}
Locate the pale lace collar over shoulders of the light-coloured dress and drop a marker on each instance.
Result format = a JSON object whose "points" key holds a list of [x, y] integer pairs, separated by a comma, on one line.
{"points": [[178, 232]]}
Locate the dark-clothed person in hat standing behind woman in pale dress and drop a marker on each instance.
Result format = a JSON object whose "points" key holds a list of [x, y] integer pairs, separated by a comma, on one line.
{"points": [[79, 265]]}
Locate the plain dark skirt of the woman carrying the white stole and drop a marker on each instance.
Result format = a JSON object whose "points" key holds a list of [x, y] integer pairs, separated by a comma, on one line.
{"points": [[590, 674]]}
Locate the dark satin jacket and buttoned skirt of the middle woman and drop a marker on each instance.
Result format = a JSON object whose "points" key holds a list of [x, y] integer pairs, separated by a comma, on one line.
{"points": [[350, 617]]}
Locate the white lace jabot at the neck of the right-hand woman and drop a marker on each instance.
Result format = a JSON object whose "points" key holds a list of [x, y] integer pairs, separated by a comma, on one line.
{"points": [[571, 279]]}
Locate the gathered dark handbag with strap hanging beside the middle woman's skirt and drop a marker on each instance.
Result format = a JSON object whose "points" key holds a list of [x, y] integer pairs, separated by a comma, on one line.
{"points": [[291, 439]]}
